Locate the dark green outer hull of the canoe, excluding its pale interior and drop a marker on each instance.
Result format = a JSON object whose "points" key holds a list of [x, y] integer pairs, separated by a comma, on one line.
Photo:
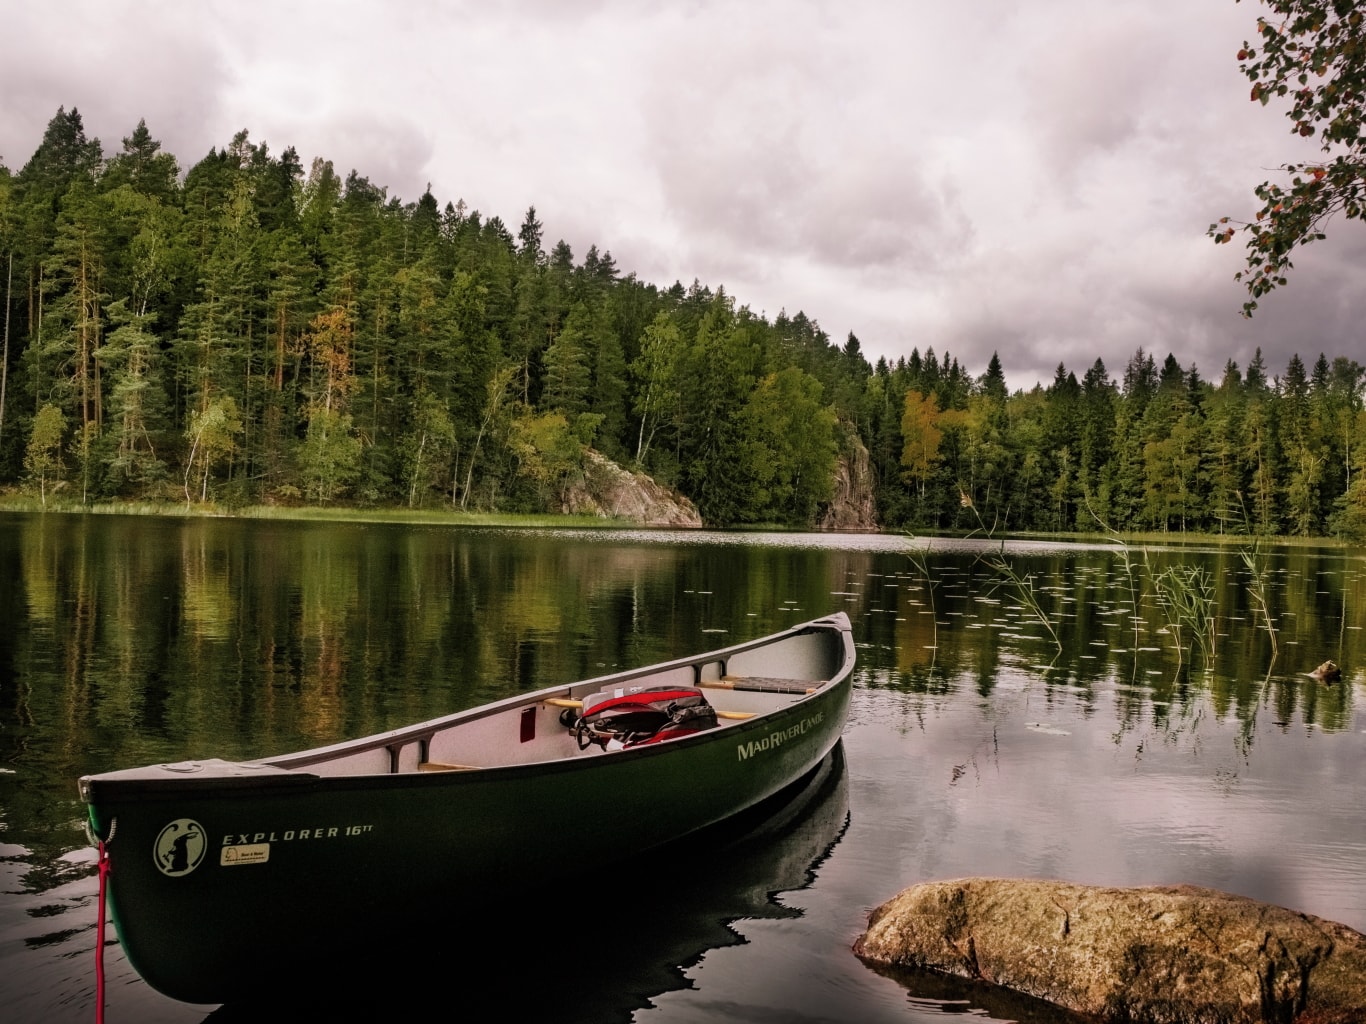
{"points": [[222, 873]]}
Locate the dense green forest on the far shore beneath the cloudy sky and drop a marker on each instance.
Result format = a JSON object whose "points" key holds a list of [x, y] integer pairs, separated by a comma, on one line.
{"points": [[257, 332]]}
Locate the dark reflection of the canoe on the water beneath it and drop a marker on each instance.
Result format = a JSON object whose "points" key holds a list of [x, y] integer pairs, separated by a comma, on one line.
{"points": [[595, 952]]}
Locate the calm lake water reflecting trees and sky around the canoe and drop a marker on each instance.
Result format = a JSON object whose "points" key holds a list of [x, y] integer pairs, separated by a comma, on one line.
{"points": [[979, 745]]}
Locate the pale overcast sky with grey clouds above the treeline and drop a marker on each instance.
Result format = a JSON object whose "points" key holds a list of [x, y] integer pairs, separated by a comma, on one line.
{"points": [[986, 175]]}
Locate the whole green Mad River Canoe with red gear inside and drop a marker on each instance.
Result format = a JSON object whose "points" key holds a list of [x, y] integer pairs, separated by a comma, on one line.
{"points": [[221, 873]]}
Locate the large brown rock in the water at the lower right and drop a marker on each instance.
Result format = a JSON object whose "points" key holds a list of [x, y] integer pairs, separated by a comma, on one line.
{"points": [[1169, 955]]}
